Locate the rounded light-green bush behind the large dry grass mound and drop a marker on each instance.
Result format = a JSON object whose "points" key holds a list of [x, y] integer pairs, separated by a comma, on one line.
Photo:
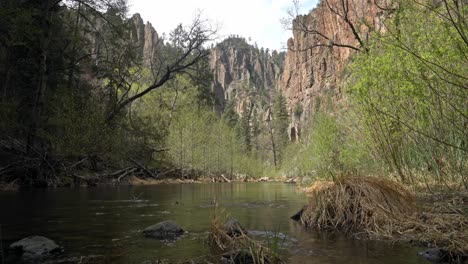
{"points": [[329, 148]]}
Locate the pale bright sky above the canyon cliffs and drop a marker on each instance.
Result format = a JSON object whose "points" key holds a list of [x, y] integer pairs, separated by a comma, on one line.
{"points": [[257, 19]]}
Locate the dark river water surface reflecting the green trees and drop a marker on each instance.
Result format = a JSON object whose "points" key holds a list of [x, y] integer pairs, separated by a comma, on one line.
{"points": [[109, 220]]}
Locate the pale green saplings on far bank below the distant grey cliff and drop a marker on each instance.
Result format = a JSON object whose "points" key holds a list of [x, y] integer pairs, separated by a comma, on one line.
{"points": [[201, 141]]}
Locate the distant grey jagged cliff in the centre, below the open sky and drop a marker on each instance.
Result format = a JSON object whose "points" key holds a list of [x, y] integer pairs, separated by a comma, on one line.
{"points": [[243, 74]]}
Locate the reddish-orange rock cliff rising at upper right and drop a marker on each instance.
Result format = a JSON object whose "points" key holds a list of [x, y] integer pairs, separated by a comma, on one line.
{"points": [[314, 67]]}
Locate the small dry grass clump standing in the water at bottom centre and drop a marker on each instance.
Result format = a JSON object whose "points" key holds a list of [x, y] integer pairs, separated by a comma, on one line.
{"points": [[240, 248]]}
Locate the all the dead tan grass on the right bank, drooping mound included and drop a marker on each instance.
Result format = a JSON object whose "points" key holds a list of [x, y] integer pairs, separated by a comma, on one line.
{"points": [[379, 208]]}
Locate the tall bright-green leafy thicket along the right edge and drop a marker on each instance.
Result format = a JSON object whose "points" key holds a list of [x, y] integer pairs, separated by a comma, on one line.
{"points": [[410, 90]]}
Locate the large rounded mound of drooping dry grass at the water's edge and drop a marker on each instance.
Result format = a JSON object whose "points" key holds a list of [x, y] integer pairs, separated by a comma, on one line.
{"points": [[354, 204]]}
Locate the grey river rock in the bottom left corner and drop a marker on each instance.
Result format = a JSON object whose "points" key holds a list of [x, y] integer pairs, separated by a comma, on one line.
{"points": [[35, 247]]}
